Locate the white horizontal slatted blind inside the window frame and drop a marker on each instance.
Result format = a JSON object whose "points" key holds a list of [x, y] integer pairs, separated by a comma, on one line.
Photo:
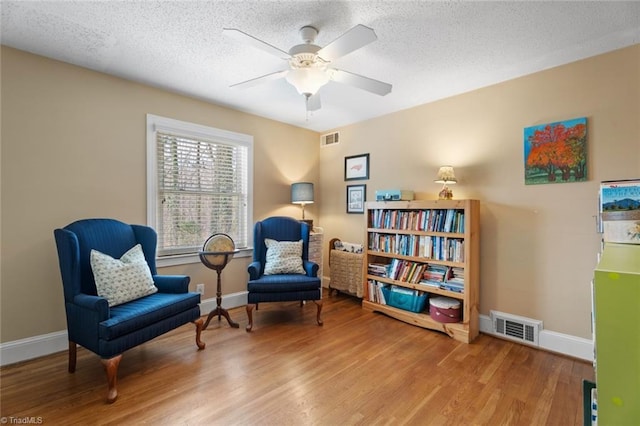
{"points": [[202, 190]]}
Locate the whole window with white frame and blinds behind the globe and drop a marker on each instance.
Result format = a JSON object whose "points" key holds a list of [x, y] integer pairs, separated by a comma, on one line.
{"points": [[199, 182]]}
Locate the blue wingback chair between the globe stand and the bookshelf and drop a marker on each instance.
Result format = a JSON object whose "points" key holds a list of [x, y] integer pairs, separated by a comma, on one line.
{"points": [[282, 287]]}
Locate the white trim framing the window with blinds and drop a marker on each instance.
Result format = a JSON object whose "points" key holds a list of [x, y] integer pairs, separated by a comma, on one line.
{"points": [[157, 123]]}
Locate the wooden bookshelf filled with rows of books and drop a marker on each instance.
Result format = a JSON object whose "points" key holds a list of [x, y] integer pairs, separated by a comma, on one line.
{"points": [[414, 235]]}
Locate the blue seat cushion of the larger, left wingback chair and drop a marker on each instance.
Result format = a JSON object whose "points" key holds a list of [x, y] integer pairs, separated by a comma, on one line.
{"points": [[144, 312]]}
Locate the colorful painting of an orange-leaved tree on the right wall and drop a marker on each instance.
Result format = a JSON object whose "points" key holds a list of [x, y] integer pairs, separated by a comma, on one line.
{"points": [[556, 152]]}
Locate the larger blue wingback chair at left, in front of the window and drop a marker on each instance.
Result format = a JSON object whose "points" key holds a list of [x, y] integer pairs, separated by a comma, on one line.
{"points": [[109, 331]]}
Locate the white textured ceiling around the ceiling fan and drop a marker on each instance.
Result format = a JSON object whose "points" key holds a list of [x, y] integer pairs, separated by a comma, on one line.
{"points": [[428, 50]]}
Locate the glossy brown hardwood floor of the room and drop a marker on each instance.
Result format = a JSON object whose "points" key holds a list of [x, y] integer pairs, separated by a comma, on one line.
{"points": [[359, 368]]}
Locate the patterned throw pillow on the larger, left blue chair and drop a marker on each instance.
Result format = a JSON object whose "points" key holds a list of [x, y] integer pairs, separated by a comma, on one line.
{"points": [[122, 280]]}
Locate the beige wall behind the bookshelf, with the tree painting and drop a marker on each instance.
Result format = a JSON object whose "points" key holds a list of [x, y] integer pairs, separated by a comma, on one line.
{"points": [[538, 243]]}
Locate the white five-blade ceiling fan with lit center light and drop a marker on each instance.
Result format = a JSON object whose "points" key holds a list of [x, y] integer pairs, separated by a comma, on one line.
{"points": [[310, 65]]}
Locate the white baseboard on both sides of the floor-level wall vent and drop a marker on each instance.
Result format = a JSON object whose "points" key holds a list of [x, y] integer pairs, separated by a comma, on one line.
{"points": [[552, 341]]}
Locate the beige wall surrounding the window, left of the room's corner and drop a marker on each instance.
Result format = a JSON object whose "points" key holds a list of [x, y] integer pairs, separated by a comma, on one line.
{"points": [[73, 146]]}
